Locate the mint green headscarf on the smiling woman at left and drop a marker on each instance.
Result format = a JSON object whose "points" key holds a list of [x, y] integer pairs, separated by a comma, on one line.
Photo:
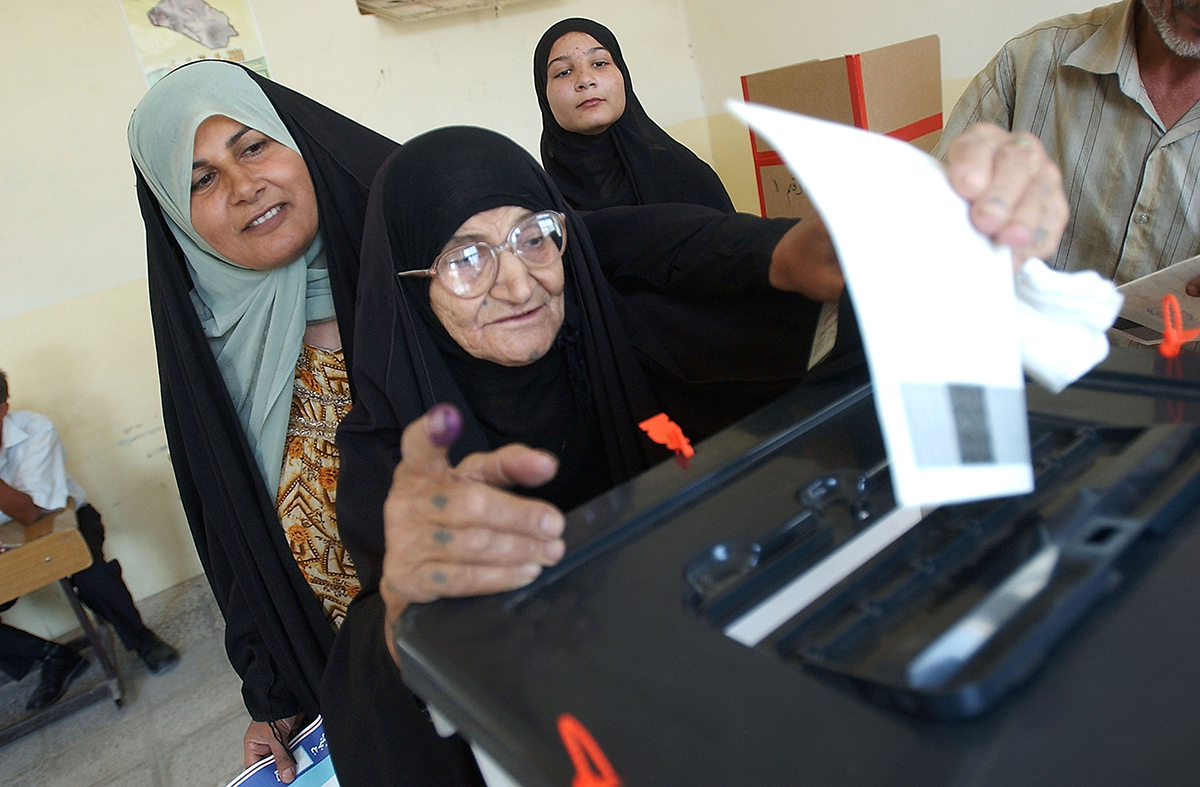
{"points": [[255, 320]]}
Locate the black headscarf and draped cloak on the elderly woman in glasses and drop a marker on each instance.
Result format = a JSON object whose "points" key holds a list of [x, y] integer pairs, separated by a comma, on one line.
{"points": [[407, 363]]}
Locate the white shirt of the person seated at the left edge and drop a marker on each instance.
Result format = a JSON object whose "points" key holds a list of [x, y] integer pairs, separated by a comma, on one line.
{"points": [[32, 461]]}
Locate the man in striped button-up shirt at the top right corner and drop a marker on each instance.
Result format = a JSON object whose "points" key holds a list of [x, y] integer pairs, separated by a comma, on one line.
{"points": [[1114, 95]]}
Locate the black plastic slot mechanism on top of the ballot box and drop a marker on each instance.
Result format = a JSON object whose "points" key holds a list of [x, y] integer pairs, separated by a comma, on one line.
{"points": [[967, 604]]}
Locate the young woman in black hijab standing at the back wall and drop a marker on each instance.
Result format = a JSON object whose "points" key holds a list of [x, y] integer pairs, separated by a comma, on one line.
{"points": [[598, 143]]}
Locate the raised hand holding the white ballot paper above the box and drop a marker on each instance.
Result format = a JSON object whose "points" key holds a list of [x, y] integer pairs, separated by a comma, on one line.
{"points": [[1013, 189]]}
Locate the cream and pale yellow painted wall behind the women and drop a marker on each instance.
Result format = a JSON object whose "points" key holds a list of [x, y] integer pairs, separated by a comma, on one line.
{"points": [[75, 333]]}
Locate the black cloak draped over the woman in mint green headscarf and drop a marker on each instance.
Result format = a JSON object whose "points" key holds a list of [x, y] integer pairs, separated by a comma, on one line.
{"points": [[277, 635]]}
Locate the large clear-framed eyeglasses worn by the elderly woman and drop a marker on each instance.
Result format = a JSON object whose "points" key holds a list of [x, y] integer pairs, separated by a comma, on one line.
{"points": [[471, 271]]}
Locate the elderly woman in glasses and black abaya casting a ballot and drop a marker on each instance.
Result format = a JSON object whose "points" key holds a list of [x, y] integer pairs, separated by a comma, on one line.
{"points": [[497, 350]]}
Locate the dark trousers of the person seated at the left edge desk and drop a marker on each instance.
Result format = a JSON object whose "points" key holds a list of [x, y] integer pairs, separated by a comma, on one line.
{"points": [[100, 586]]}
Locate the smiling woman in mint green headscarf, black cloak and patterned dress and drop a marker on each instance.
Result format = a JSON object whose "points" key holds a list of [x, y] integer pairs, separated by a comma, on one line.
{"points": [[254, 199]]}
